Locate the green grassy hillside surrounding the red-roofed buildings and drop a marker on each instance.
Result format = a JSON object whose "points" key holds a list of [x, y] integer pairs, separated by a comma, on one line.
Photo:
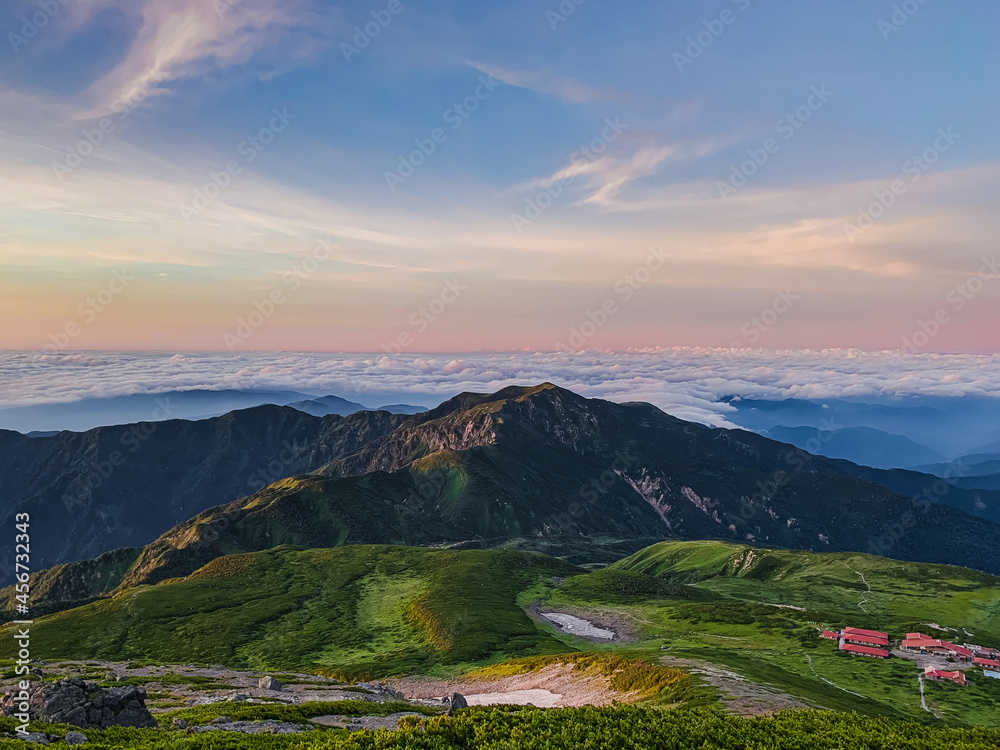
{"points": [[756, 612]]}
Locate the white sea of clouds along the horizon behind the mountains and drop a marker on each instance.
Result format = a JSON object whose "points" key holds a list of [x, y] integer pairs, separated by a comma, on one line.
{"points": [[687, 383]]}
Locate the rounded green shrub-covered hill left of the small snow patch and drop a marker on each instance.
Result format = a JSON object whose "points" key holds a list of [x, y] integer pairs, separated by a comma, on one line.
{"points": [[359, 610]]}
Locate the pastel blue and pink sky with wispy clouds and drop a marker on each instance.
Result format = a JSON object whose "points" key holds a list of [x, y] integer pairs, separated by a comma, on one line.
{"points": [[698, 170]]}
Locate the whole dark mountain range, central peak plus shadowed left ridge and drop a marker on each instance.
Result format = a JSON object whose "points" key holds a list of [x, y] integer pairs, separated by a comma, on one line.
{"points": [[538, 468]]}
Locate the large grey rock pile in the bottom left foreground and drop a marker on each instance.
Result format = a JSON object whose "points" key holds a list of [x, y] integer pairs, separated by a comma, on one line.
{"points": [[85, 704]]}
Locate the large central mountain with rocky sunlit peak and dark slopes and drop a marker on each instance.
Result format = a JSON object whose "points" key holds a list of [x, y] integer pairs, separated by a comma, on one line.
{"points": [[546, 469]]}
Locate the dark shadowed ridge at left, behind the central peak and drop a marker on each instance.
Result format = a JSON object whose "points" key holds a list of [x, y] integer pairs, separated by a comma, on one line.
{"points": [[124, 485]]}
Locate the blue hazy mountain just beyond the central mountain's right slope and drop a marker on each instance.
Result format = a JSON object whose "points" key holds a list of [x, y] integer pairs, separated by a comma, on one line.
{"points": [[862, 445]]}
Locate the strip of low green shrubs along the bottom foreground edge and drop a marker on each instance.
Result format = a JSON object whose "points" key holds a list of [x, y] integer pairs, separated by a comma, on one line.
{"points": [[506, 728]]}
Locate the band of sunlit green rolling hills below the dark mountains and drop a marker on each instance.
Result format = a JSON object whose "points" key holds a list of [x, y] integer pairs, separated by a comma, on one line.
{"points": [[361, 612]]}
